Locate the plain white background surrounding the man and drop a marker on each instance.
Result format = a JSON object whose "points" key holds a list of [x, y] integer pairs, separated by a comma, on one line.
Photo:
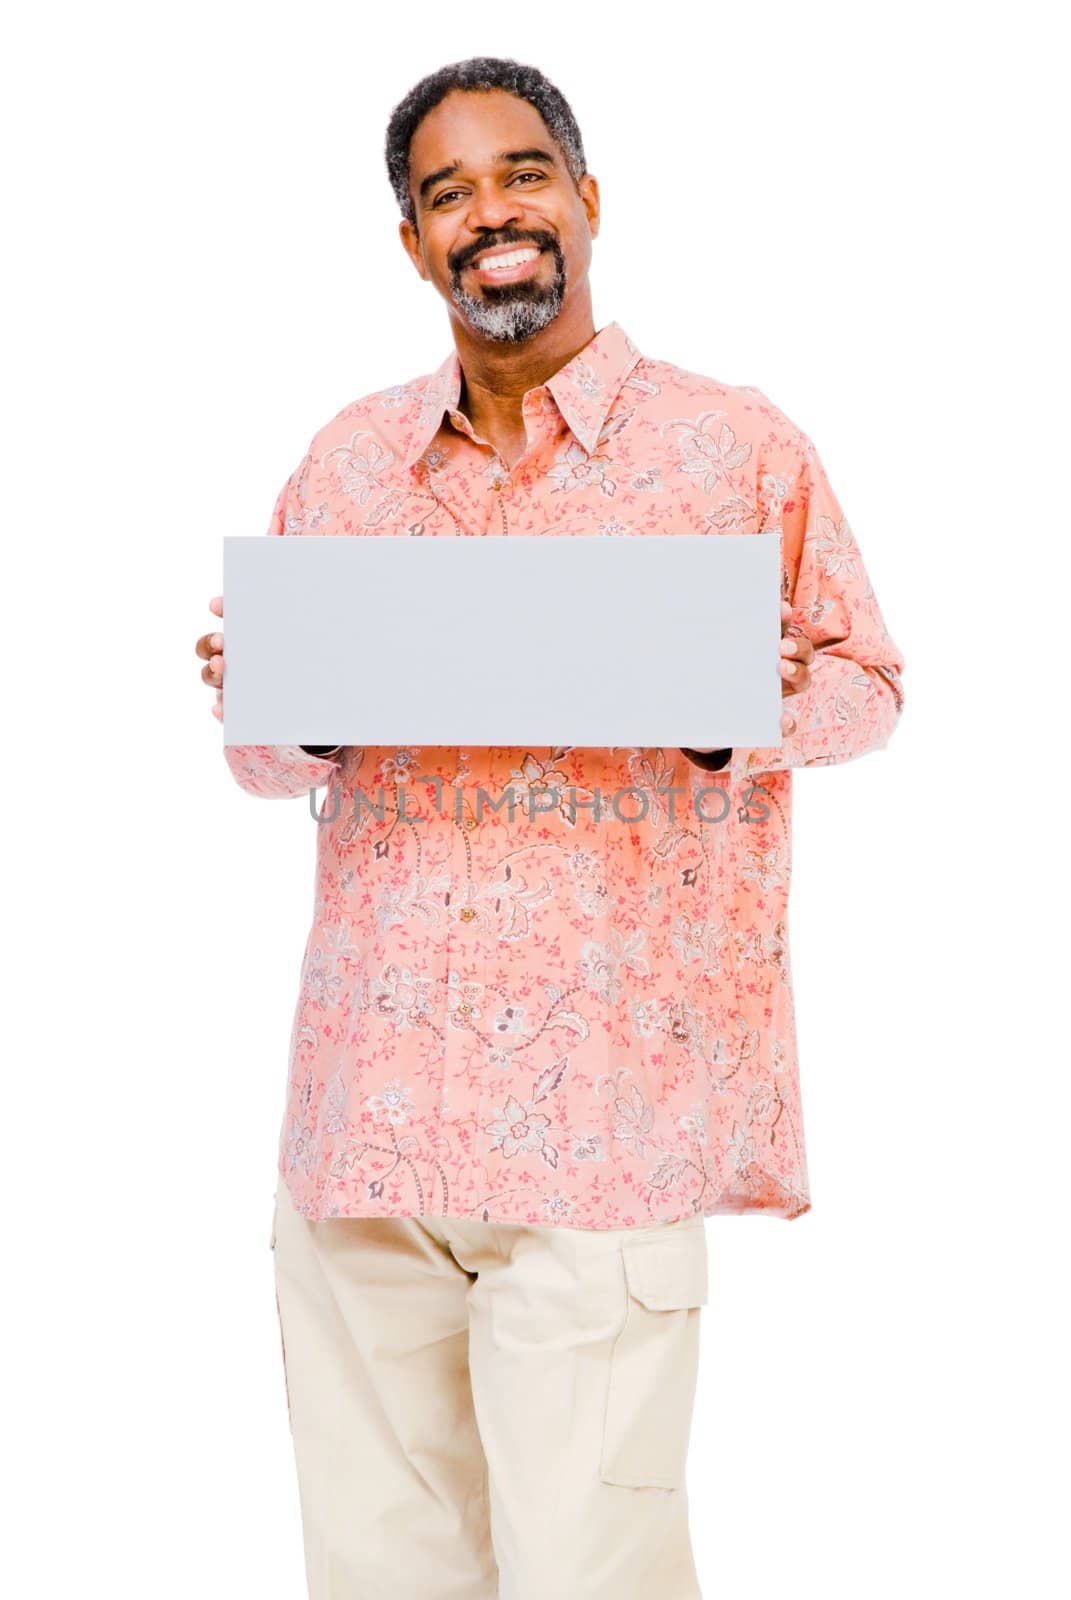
{"points": [[856, 210]]}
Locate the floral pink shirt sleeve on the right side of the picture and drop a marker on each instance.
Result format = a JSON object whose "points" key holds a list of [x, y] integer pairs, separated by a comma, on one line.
{"points": [[856, 694]]}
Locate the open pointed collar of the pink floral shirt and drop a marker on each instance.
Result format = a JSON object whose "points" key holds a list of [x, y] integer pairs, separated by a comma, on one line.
{"points": [[584, 390]]}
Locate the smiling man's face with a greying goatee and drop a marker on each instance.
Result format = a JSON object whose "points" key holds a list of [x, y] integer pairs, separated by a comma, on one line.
{"points": [[489, 182]]}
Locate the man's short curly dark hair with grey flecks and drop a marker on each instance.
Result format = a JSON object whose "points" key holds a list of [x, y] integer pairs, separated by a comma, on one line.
{"points": [[479, 74]]}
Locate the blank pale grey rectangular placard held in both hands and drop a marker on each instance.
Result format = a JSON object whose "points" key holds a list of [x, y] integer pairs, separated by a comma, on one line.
{"points": [[590, 641]]}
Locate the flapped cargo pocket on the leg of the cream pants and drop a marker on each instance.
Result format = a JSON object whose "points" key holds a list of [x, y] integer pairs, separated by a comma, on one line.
{"points": [[654, 1361]]}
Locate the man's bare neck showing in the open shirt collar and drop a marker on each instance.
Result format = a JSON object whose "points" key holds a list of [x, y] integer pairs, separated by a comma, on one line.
{"points": [[499, 377]]}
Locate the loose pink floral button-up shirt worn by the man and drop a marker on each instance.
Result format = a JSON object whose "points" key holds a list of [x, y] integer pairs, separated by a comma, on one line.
{"points": [[558, 1018]]}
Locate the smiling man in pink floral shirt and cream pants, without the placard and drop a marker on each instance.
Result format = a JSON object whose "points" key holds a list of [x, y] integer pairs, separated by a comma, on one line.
{"points": [[537, 1046]]}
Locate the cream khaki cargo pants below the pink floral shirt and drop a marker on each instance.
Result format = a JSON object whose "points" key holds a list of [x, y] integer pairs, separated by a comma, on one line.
{"points": [[491, 1412]]}
